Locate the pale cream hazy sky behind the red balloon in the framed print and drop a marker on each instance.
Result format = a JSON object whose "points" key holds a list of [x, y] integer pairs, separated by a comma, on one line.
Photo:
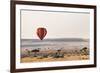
{"points": [[58, 24]]}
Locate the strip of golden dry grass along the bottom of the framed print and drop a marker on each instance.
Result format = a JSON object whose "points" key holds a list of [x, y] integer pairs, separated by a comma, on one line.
{"points": [[66, 58]]}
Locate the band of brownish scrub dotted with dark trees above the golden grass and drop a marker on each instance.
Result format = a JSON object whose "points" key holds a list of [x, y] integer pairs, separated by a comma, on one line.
{"points": [[60, 53]]}
